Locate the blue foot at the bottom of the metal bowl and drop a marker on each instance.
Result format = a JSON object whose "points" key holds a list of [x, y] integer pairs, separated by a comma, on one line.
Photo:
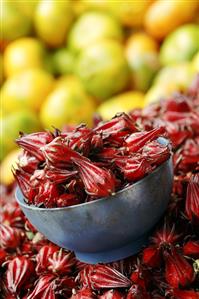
{"points": [[115, 254]]}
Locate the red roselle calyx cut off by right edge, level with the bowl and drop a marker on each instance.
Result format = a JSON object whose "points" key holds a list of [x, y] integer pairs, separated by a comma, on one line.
{"points": [[192, 198]]}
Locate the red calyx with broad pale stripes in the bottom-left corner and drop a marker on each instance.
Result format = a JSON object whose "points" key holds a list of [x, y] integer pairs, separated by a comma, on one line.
{"points": [[20, 269]]}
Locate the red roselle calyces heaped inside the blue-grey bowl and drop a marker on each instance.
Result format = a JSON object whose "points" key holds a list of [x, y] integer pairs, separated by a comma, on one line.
{"points": [[67, 168]]}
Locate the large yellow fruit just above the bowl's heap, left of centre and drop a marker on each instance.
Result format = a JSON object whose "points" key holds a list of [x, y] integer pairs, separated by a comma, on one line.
{"points": [[67, 104]]}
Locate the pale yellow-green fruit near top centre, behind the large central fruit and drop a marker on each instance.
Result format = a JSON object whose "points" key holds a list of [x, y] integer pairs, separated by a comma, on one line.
{"points": [[92, 27]]}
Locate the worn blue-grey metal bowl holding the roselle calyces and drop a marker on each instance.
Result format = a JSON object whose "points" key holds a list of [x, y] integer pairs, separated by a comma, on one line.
{"points": [[110, 228]]}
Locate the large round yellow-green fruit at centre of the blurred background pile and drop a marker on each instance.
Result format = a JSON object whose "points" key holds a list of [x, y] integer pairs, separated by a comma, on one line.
{"points": [[103, 69]]}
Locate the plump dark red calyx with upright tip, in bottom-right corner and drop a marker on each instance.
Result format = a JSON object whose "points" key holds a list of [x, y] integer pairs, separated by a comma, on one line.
{"points": [[178, 272]]}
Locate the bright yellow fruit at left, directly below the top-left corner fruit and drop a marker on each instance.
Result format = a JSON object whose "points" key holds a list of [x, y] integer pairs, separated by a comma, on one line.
{"points": [[22, 54]]}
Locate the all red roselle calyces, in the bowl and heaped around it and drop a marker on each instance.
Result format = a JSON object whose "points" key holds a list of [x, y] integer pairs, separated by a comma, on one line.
{"points": [[31, 267]]}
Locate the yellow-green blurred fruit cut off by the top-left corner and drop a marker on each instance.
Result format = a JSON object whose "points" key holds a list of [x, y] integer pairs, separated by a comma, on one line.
{"points": [[14, 23]]}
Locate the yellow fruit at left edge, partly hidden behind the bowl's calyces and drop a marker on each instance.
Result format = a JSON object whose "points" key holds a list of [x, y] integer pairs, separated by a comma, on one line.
{"points": [[6, 176]]}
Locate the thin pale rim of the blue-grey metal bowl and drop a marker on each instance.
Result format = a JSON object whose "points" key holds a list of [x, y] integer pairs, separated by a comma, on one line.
{"points": [[33, 207]]}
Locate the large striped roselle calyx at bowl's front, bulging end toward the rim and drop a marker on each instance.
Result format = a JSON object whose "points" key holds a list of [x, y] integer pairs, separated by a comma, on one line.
{"points": [[97, 181]]}
